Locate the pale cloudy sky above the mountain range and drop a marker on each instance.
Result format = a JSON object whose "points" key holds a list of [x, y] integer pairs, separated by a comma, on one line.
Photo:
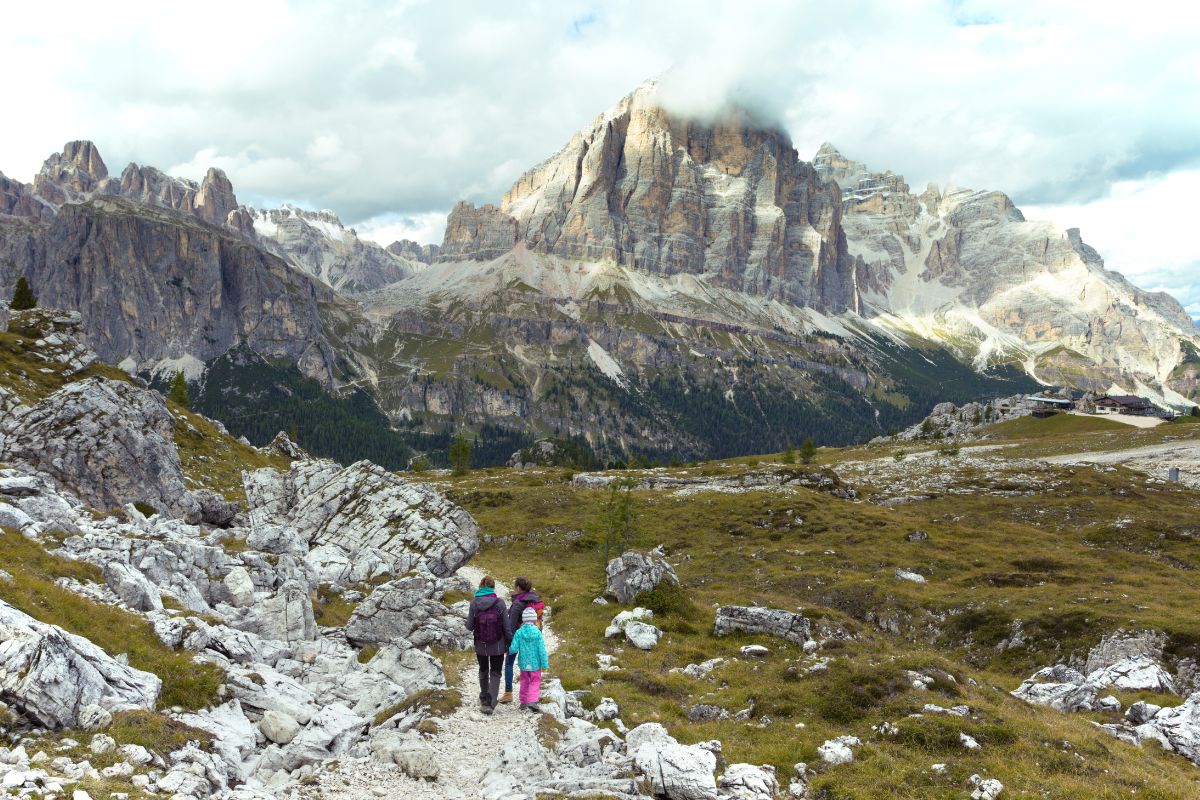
{"points": [[388, 113]]}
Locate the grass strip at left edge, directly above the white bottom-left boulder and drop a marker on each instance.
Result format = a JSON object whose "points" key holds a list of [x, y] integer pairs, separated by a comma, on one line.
{"points": [[33, 591]]}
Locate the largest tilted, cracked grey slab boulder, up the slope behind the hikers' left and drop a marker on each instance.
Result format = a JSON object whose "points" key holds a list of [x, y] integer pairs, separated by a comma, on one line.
{"points": [[365, 507]]}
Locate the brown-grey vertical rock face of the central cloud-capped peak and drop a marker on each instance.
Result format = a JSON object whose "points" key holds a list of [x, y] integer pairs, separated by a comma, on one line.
{"points": [[729, 201]]}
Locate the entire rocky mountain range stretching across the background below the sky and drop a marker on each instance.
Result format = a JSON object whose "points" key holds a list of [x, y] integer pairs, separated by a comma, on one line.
{"points": [[661, 287]]}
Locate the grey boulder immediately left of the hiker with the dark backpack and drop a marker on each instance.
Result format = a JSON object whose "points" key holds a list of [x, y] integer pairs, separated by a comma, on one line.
{"points": [[407, 609]]}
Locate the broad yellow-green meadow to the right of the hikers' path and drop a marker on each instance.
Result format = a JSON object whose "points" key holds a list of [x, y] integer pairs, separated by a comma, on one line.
{"points": [[1077, 556]]}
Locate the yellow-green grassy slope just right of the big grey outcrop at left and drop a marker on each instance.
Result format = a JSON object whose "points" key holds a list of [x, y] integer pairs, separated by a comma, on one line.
{"points": [[213, 460]]}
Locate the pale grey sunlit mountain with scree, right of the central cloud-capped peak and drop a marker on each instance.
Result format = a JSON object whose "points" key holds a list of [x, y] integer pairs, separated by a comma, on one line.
{"points": [[967, 269]]}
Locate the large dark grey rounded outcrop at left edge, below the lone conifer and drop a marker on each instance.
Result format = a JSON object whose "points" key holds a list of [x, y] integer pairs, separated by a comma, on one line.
{"points": [[107, 441]]}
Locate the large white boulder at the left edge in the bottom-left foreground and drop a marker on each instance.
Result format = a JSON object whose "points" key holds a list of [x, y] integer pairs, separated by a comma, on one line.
{"points": [[51, 676]]}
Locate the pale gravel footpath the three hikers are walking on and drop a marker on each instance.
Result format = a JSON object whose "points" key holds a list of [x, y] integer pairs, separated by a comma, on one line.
{"points": [[466, 745]]}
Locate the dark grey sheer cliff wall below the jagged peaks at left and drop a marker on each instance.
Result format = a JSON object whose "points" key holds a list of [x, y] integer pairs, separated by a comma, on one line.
{"points": [[155, 285]]}
